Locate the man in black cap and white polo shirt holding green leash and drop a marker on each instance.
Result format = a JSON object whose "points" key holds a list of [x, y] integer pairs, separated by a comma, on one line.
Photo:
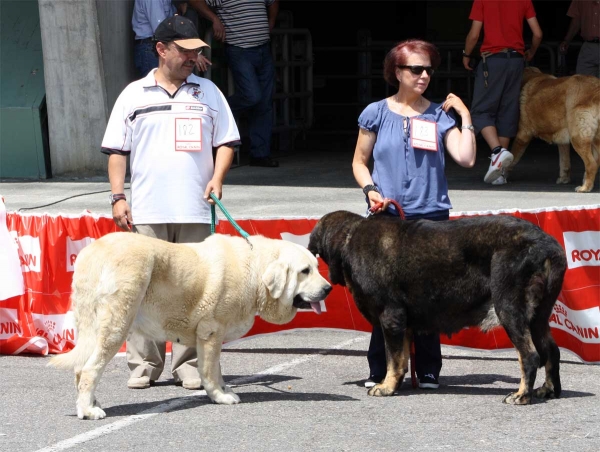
{"points": [[168, 123]]}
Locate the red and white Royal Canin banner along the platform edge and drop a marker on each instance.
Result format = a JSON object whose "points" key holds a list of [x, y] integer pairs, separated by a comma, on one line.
{"points": [[39, 320]]}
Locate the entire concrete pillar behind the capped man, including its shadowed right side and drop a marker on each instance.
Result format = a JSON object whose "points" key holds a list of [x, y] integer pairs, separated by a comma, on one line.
{"points": [[82, 81]]}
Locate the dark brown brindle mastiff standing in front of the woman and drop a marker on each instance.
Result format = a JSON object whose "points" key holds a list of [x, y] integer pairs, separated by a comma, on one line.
{"points": [[427, 276]]}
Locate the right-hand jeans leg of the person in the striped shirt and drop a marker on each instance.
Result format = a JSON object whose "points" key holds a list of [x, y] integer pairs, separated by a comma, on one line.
{"points": [[260, 120]]}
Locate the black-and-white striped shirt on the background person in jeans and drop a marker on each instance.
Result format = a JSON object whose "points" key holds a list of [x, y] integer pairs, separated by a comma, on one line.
{"points": [[246, 21]]}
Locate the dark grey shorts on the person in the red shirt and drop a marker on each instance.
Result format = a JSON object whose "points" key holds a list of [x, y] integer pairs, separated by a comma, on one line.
{"points": [[498, 104]]}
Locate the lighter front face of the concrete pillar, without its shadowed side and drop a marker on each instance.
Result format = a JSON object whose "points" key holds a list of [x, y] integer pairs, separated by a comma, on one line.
{"points": [[75, 89]]}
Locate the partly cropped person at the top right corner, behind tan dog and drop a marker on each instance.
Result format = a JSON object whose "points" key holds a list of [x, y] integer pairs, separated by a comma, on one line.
{"points": [[585, 17]]}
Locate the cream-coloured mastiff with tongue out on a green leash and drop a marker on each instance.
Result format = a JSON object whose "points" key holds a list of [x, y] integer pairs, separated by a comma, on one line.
{"points": [[198, 294]]}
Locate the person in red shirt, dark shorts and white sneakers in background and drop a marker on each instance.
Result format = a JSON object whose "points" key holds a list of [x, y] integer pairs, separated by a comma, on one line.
{"points": [[495, 105]]}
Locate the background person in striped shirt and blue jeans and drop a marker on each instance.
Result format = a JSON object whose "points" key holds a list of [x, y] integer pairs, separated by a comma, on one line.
{"points": [[244, 26]]}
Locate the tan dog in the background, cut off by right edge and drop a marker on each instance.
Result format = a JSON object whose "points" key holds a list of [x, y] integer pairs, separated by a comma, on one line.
{"points": [[561, 111]]}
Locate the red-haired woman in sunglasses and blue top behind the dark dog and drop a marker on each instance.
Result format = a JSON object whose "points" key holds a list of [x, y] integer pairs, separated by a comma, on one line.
{"points": [[407, 136]]}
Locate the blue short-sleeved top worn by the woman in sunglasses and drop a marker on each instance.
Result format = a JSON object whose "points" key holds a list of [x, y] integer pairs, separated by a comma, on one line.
{"points": [[413, 177]]}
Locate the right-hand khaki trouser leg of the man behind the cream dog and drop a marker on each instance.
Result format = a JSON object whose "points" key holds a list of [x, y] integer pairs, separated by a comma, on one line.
{"points": [[184, 362]]}
